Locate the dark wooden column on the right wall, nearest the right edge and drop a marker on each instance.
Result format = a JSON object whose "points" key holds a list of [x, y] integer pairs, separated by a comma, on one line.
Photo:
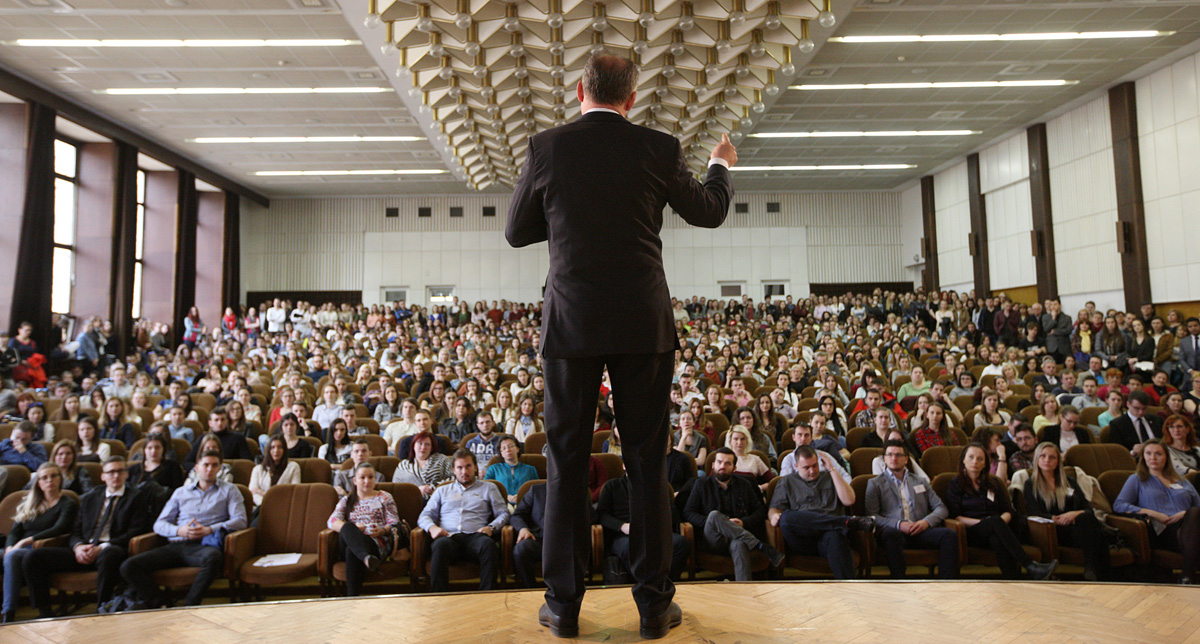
{"points": [[1131, 208]]}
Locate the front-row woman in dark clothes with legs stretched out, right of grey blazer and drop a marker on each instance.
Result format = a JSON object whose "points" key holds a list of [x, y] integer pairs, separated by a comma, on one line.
{"points": [[981, 503]]}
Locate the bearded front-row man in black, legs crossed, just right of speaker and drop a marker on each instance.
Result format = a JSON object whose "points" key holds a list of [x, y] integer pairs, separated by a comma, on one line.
{"points": [[729, 516]]}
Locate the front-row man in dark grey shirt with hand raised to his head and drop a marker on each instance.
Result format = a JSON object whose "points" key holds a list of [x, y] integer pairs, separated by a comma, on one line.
{"points": [[809, 508]]}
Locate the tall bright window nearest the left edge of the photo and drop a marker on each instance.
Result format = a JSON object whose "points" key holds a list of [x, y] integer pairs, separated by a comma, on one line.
{"points": [[67, 195]]}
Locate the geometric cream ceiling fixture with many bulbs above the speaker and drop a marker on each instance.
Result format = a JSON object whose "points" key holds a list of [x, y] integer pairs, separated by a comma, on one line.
{"points": [[491, 73]]}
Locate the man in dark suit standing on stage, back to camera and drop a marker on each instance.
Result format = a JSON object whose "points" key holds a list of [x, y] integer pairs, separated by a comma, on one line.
{"points": [[596, 189]]}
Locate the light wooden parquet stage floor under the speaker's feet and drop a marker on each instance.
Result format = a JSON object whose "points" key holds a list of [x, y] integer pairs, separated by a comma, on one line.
{"points": [[717, 613]]}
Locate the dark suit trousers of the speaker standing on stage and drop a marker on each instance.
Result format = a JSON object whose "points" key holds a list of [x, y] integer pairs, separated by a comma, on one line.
{"points": [[641, 386]]}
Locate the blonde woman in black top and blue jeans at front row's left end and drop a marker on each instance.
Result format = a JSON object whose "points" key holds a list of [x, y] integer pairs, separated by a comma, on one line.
{"points": [[45, 513]]}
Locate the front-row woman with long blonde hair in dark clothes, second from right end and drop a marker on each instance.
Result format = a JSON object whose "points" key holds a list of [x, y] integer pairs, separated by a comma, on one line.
{"points": [[1052, 496]]}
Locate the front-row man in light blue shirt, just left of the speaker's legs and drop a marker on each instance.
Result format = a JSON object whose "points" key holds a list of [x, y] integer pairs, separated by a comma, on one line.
{"points": [[464, 519]]}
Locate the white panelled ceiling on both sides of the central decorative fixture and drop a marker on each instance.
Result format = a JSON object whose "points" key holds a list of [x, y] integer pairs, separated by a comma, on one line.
{"points": [[172, 121]]}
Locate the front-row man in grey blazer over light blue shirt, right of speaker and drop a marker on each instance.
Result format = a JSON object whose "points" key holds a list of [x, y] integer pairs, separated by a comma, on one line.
{"points": [[909, 515]]}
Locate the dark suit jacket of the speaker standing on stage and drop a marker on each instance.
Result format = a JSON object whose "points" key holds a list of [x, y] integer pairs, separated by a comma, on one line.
{"points": [[596, 189]]}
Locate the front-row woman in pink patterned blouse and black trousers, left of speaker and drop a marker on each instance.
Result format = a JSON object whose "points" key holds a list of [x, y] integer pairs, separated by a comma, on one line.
{"points": [[369, 528]]}
